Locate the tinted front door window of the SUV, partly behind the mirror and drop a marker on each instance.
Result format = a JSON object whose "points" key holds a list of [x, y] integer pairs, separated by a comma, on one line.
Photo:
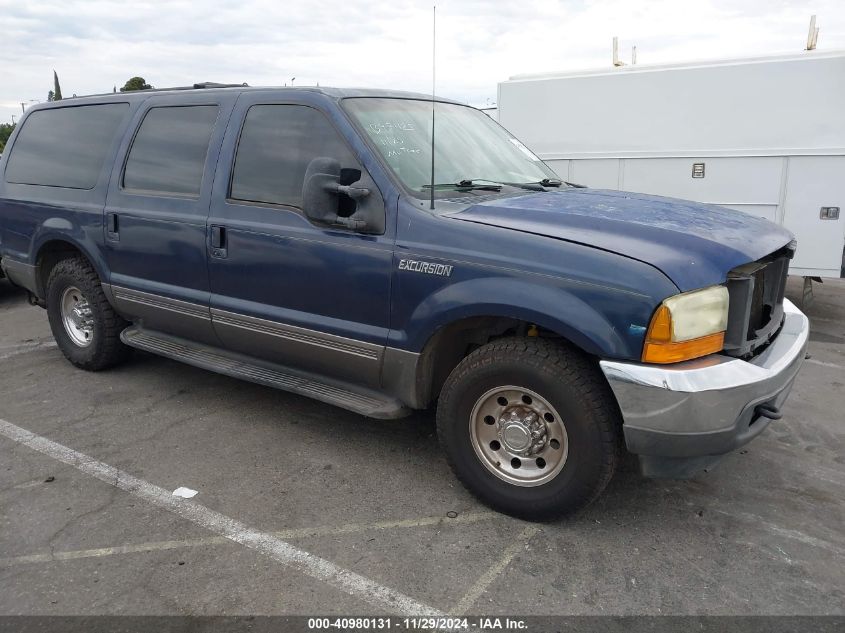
{"points": [[277, 143]]}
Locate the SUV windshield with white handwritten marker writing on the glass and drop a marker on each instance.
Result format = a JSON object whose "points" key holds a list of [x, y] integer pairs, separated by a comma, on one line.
{"points": [[469, 146]]}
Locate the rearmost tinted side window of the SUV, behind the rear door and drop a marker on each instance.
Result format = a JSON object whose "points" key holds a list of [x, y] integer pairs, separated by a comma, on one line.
{"points": [[64, 147]]}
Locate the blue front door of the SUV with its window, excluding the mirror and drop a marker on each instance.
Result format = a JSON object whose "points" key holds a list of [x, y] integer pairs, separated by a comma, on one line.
{"points": [[284, 289]]}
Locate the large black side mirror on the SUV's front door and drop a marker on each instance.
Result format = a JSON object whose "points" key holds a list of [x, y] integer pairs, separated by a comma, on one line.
{"points": [[320, 190]]}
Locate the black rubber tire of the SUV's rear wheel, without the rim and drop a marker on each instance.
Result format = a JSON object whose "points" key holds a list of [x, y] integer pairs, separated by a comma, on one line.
{"points": [[105, 348]]}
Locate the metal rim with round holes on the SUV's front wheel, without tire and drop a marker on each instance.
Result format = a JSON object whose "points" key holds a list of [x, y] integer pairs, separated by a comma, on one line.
{"points": [[518, 436]]}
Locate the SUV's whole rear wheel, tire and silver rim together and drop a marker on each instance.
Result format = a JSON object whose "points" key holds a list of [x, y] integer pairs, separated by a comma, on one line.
{"points": [[84, 324]]}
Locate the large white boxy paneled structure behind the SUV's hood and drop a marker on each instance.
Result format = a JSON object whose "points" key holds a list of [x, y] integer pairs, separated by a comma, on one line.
{"points": [[763, 135]]}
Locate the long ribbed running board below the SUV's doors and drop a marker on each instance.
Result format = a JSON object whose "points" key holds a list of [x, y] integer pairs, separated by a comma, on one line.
{"points": [[360, 400]]}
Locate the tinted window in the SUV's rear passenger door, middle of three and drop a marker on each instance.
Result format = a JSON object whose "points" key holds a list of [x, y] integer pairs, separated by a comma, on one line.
{"points": [[169, 151]]}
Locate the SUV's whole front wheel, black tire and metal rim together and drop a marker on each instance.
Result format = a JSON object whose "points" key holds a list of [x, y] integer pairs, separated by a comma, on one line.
{"points": [[530, 427]]}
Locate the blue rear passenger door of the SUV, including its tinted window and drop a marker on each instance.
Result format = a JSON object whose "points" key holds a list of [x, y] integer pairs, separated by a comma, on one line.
{"points": [[155, 216]]}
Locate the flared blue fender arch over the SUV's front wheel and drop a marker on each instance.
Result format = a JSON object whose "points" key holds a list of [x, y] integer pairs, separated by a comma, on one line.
{"points": [[595, 318]]}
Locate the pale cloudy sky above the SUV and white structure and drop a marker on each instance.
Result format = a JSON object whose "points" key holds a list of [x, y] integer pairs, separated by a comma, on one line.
{"points": [[97, 44]]}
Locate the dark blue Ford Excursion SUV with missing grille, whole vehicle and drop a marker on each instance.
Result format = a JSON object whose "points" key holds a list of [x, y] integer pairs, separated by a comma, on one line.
{"points": [[298, 238]]}
